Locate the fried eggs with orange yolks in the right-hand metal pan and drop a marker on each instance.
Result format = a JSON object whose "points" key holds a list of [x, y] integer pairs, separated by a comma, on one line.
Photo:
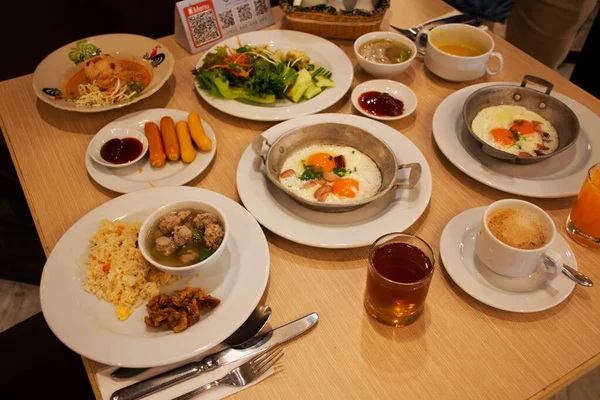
{"points": [[515, 130]]}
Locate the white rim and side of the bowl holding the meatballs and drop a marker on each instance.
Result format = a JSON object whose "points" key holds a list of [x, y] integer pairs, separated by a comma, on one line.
{"points": [[193, 269]]}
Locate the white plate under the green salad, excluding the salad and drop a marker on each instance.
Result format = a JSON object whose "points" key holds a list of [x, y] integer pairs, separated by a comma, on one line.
{"points": [[321, 52]]}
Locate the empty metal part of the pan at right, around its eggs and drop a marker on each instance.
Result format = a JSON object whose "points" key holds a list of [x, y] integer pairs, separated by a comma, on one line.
{"points": [[555, 111]]}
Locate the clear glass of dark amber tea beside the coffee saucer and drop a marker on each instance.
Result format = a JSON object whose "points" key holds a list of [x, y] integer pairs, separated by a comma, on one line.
{"points": [[400, 270]]}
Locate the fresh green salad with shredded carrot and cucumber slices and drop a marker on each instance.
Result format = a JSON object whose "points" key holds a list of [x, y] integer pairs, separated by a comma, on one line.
{"points": [[259, 75]]}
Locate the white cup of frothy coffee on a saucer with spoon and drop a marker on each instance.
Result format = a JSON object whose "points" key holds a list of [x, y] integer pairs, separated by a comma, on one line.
{"points": [[515, 238]]}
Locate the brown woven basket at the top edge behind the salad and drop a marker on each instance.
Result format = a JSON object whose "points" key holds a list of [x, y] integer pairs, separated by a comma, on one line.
{"points": [[333, 26]]}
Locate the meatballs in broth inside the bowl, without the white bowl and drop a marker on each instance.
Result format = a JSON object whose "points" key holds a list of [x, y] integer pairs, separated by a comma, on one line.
{"points": [[185, 237]]}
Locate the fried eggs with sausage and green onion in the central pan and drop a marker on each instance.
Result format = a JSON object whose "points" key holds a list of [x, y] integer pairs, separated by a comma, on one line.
{"points": [[331, 174]]}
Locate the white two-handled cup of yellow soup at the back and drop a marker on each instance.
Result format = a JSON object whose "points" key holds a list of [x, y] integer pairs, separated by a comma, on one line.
{"points": [[458, 52]]}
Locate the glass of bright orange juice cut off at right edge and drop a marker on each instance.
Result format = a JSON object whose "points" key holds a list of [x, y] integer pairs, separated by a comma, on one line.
{"points": [[583, 224]]}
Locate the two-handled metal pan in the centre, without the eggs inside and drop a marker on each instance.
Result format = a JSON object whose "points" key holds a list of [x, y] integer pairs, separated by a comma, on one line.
{"points": [[334, 134]]}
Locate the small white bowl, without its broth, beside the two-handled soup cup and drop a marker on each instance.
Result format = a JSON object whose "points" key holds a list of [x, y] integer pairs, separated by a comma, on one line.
{"points": [[384, 70]]}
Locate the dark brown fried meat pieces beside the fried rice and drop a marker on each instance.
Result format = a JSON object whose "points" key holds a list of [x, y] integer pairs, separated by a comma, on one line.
{"points": [[180, 310]]}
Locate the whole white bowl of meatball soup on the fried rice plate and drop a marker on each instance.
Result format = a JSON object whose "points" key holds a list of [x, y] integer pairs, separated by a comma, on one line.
{"points": [[184, 237]]}
